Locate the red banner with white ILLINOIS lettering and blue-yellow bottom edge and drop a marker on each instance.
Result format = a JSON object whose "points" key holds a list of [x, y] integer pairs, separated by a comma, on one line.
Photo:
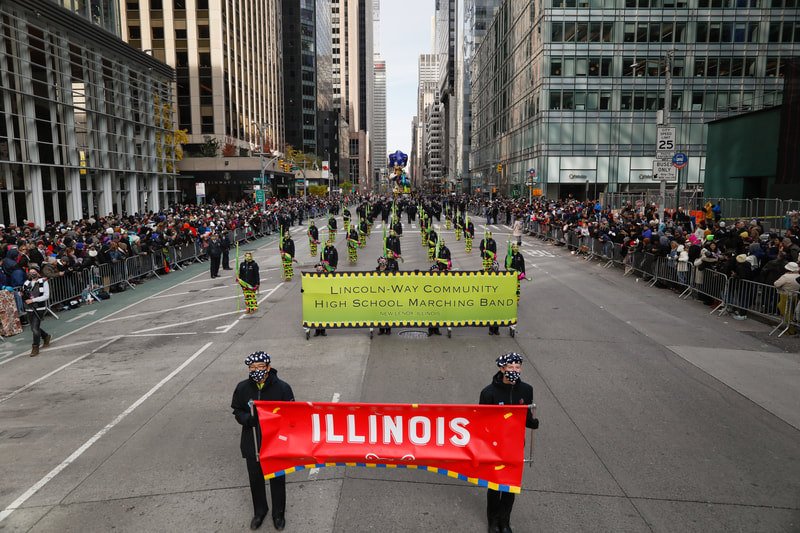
{"points": [[480, 444]]}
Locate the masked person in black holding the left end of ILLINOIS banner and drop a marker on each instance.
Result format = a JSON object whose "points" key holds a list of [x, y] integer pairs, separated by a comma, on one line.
{"points": [[262, 384]]}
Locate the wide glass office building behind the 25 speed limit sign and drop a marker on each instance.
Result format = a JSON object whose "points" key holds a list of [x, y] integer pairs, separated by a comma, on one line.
{"points": [[572, 88]]}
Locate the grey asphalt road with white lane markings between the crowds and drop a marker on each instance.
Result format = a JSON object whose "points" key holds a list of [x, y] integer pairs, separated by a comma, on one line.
{"points": [[655, 416]]}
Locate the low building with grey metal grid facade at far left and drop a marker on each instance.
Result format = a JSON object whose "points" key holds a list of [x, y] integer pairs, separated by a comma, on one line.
{"points": [[85, 119]]}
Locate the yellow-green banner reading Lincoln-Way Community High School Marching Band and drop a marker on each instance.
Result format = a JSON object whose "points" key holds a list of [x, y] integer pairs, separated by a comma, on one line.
{"points": [[394, 299]]}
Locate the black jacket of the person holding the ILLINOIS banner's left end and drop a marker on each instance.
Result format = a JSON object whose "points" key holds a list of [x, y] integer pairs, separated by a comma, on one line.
{"points": [[273, 390]]}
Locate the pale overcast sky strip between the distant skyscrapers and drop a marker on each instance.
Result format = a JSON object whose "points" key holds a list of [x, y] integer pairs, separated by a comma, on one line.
{"points": [[405, 34]]}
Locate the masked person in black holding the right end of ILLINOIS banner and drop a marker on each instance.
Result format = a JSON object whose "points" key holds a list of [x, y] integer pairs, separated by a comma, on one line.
{"points": [[506, 389]]}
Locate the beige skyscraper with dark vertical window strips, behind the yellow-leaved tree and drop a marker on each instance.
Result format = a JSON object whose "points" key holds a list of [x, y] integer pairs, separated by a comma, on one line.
{"points": [[227, 56]]}
